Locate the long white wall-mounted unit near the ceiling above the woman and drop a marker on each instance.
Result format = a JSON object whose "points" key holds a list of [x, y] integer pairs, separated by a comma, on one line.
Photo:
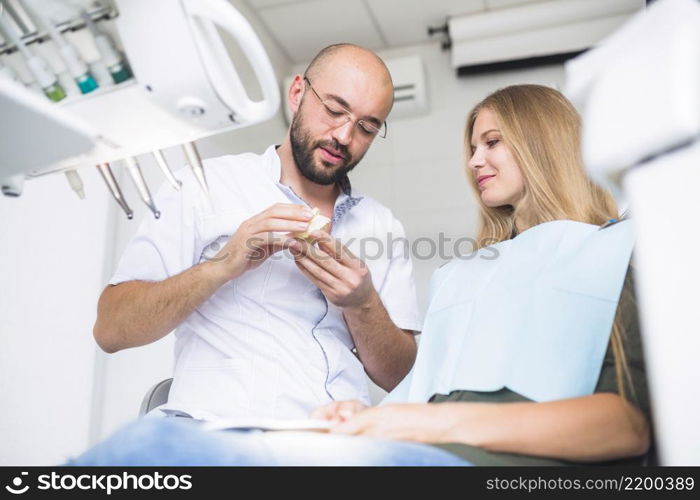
{"points": [[536, 33]]}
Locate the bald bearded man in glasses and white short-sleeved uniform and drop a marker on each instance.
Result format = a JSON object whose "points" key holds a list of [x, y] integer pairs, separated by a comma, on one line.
{"points": [[267, 324]]}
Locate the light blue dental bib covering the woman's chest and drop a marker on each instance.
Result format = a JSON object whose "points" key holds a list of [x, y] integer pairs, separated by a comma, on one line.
{"points": [[532, 314]]}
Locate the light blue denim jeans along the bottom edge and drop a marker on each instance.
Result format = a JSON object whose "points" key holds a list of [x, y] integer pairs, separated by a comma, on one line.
{"points": [[179, 441]]}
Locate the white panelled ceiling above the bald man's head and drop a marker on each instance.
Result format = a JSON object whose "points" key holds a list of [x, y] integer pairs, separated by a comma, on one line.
{"points": [[302, 27]]}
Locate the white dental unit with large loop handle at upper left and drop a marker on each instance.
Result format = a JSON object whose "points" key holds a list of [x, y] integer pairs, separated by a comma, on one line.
{"points": [[185, 86]]}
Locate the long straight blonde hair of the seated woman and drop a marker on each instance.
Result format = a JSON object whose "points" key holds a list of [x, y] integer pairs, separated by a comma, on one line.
{"points": [[542, 130]]}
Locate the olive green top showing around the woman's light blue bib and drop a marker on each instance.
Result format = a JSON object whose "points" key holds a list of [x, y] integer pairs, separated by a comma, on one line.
{"points": [[607, 382]]}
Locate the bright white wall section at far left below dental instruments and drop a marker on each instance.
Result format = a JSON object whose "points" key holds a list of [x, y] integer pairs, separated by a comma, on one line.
{"points": [[52, 259]]}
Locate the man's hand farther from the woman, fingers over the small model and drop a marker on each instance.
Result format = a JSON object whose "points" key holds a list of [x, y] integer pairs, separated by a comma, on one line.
{"points": [[255, 240]]}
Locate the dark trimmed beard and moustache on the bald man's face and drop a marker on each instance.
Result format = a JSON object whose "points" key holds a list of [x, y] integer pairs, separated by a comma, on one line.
{"points": [[303, 152]]}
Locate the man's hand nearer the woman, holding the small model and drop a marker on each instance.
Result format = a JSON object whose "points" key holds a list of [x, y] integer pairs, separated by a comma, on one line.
{"points": [[343, 278]]}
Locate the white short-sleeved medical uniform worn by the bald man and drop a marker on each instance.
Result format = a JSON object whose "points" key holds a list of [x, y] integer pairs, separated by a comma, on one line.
{"points": [[268, 343]]}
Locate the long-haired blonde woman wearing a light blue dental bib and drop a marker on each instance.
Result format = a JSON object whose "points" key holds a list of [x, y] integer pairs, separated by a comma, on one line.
{"points": [[524, 164]]}
